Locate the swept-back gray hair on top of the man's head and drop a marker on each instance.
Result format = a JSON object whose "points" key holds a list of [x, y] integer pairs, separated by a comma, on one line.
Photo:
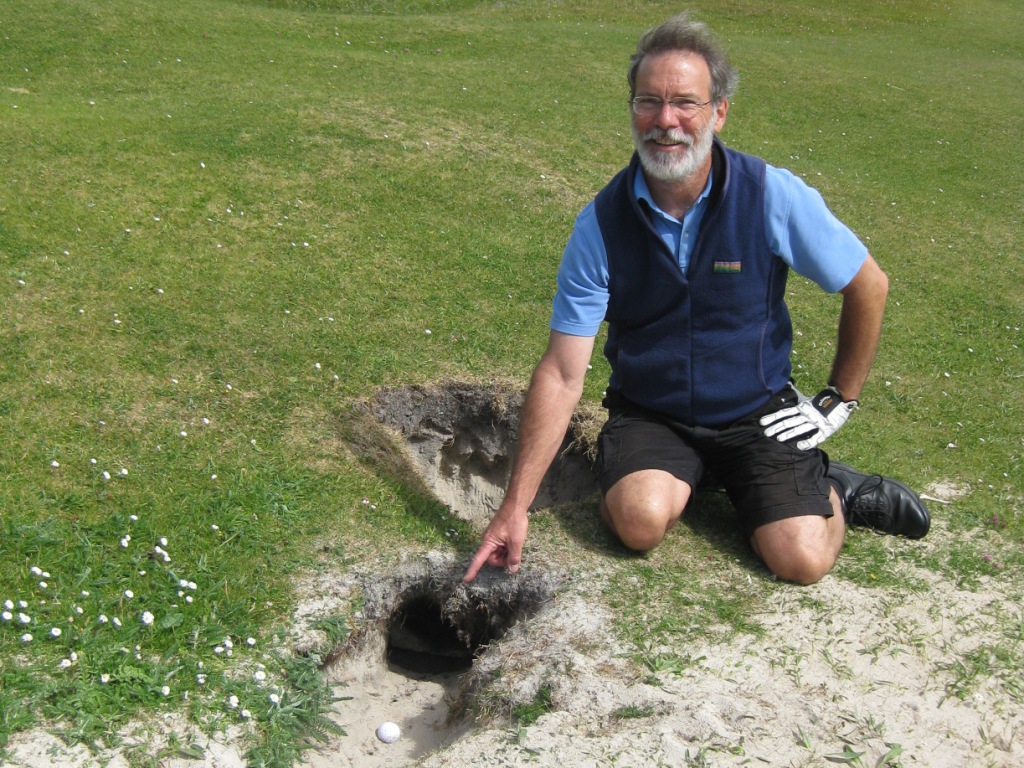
{"points": [[681, 33]]}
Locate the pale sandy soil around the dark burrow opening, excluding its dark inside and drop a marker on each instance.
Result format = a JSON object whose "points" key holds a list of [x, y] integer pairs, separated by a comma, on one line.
{"points": [[842, 674]]}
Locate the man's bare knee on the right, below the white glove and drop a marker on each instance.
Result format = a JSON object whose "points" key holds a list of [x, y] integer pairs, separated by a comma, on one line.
{"points": [[802, 549]]}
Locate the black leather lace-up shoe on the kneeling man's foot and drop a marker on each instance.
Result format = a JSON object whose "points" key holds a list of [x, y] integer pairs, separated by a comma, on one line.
{"points": [[880, 503]]}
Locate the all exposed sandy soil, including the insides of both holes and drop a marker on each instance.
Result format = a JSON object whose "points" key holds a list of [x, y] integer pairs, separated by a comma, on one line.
{"points": [[841, 674]]}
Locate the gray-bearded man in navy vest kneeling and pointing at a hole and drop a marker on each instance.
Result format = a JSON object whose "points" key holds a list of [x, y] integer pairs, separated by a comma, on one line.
{"points": [[686, 254]]}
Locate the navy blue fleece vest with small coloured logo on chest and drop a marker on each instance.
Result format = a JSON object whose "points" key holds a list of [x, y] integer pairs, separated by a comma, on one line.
{"points": [[710, 346]]}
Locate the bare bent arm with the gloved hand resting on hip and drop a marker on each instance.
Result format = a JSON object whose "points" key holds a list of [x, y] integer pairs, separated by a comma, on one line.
{"points": [[860, 329]]}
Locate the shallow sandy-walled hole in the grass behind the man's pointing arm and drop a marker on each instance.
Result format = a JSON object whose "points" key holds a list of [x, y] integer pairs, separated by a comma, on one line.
{"points": [[462, 441]]}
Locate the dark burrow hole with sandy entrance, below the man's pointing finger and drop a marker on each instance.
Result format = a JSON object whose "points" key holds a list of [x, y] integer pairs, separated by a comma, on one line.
{"points": [[422, 655]]}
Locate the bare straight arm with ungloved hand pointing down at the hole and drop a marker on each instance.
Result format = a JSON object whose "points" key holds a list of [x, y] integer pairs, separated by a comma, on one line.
{"points": [[553, 395]]}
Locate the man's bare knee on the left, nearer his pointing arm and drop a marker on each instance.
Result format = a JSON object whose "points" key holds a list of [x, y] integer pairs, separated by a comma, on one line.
{"points": [[643, 507]]}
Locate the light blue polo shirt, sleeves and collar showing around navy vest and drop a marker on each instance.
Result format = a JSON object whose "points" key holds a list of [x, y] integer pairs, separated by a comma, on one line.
{"points": [[800, 229]]}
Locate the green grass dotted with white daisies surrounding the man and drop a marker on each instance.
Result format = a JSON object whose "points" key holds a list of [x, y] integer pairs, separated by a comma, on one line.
{"points": [[221, 223]]}
